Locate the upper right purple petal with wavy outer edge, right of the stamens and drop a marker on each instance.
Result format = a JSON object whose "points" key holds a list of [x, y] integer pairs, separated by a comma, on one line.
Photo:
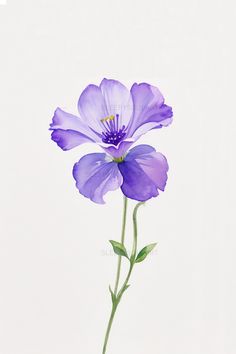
{"points": [[149, 108]]}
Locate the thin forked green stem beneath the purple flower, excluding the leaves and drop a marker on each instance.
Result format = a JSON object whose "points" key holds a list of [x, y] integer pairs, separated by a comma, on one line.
{"points": [[117, 297]]}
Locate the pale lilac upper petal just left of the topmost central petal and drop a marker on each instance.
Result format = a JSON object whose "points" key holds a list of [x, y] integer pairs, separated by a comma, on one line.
{"points": [[92, 107]]}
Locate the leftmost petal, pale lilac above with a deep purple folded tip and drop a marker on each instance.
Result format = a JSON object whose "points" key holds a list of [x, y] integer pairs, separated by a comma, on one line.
{"points": [[69, 131]]}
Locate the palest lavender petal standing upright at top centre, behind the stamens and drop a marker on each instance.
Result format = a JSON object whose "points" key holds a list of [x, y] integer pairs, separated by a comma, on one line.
{"points": [[118, 100]]}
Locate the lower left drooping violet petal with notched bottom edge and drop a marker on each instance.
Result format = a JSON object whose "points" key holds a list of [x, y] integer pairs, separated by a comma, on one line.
{"points": [[95, 175]]}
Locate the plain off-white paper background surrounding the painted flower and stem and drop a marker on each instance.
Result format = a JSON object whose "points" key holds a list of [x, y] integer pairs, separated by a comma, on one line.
{"points": [[55, 260]]}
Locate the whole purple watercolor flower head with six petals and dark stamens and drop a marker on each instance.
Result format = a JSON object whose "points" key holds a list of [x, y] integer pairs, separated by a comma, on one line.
{"points": [[114, 118]]}
